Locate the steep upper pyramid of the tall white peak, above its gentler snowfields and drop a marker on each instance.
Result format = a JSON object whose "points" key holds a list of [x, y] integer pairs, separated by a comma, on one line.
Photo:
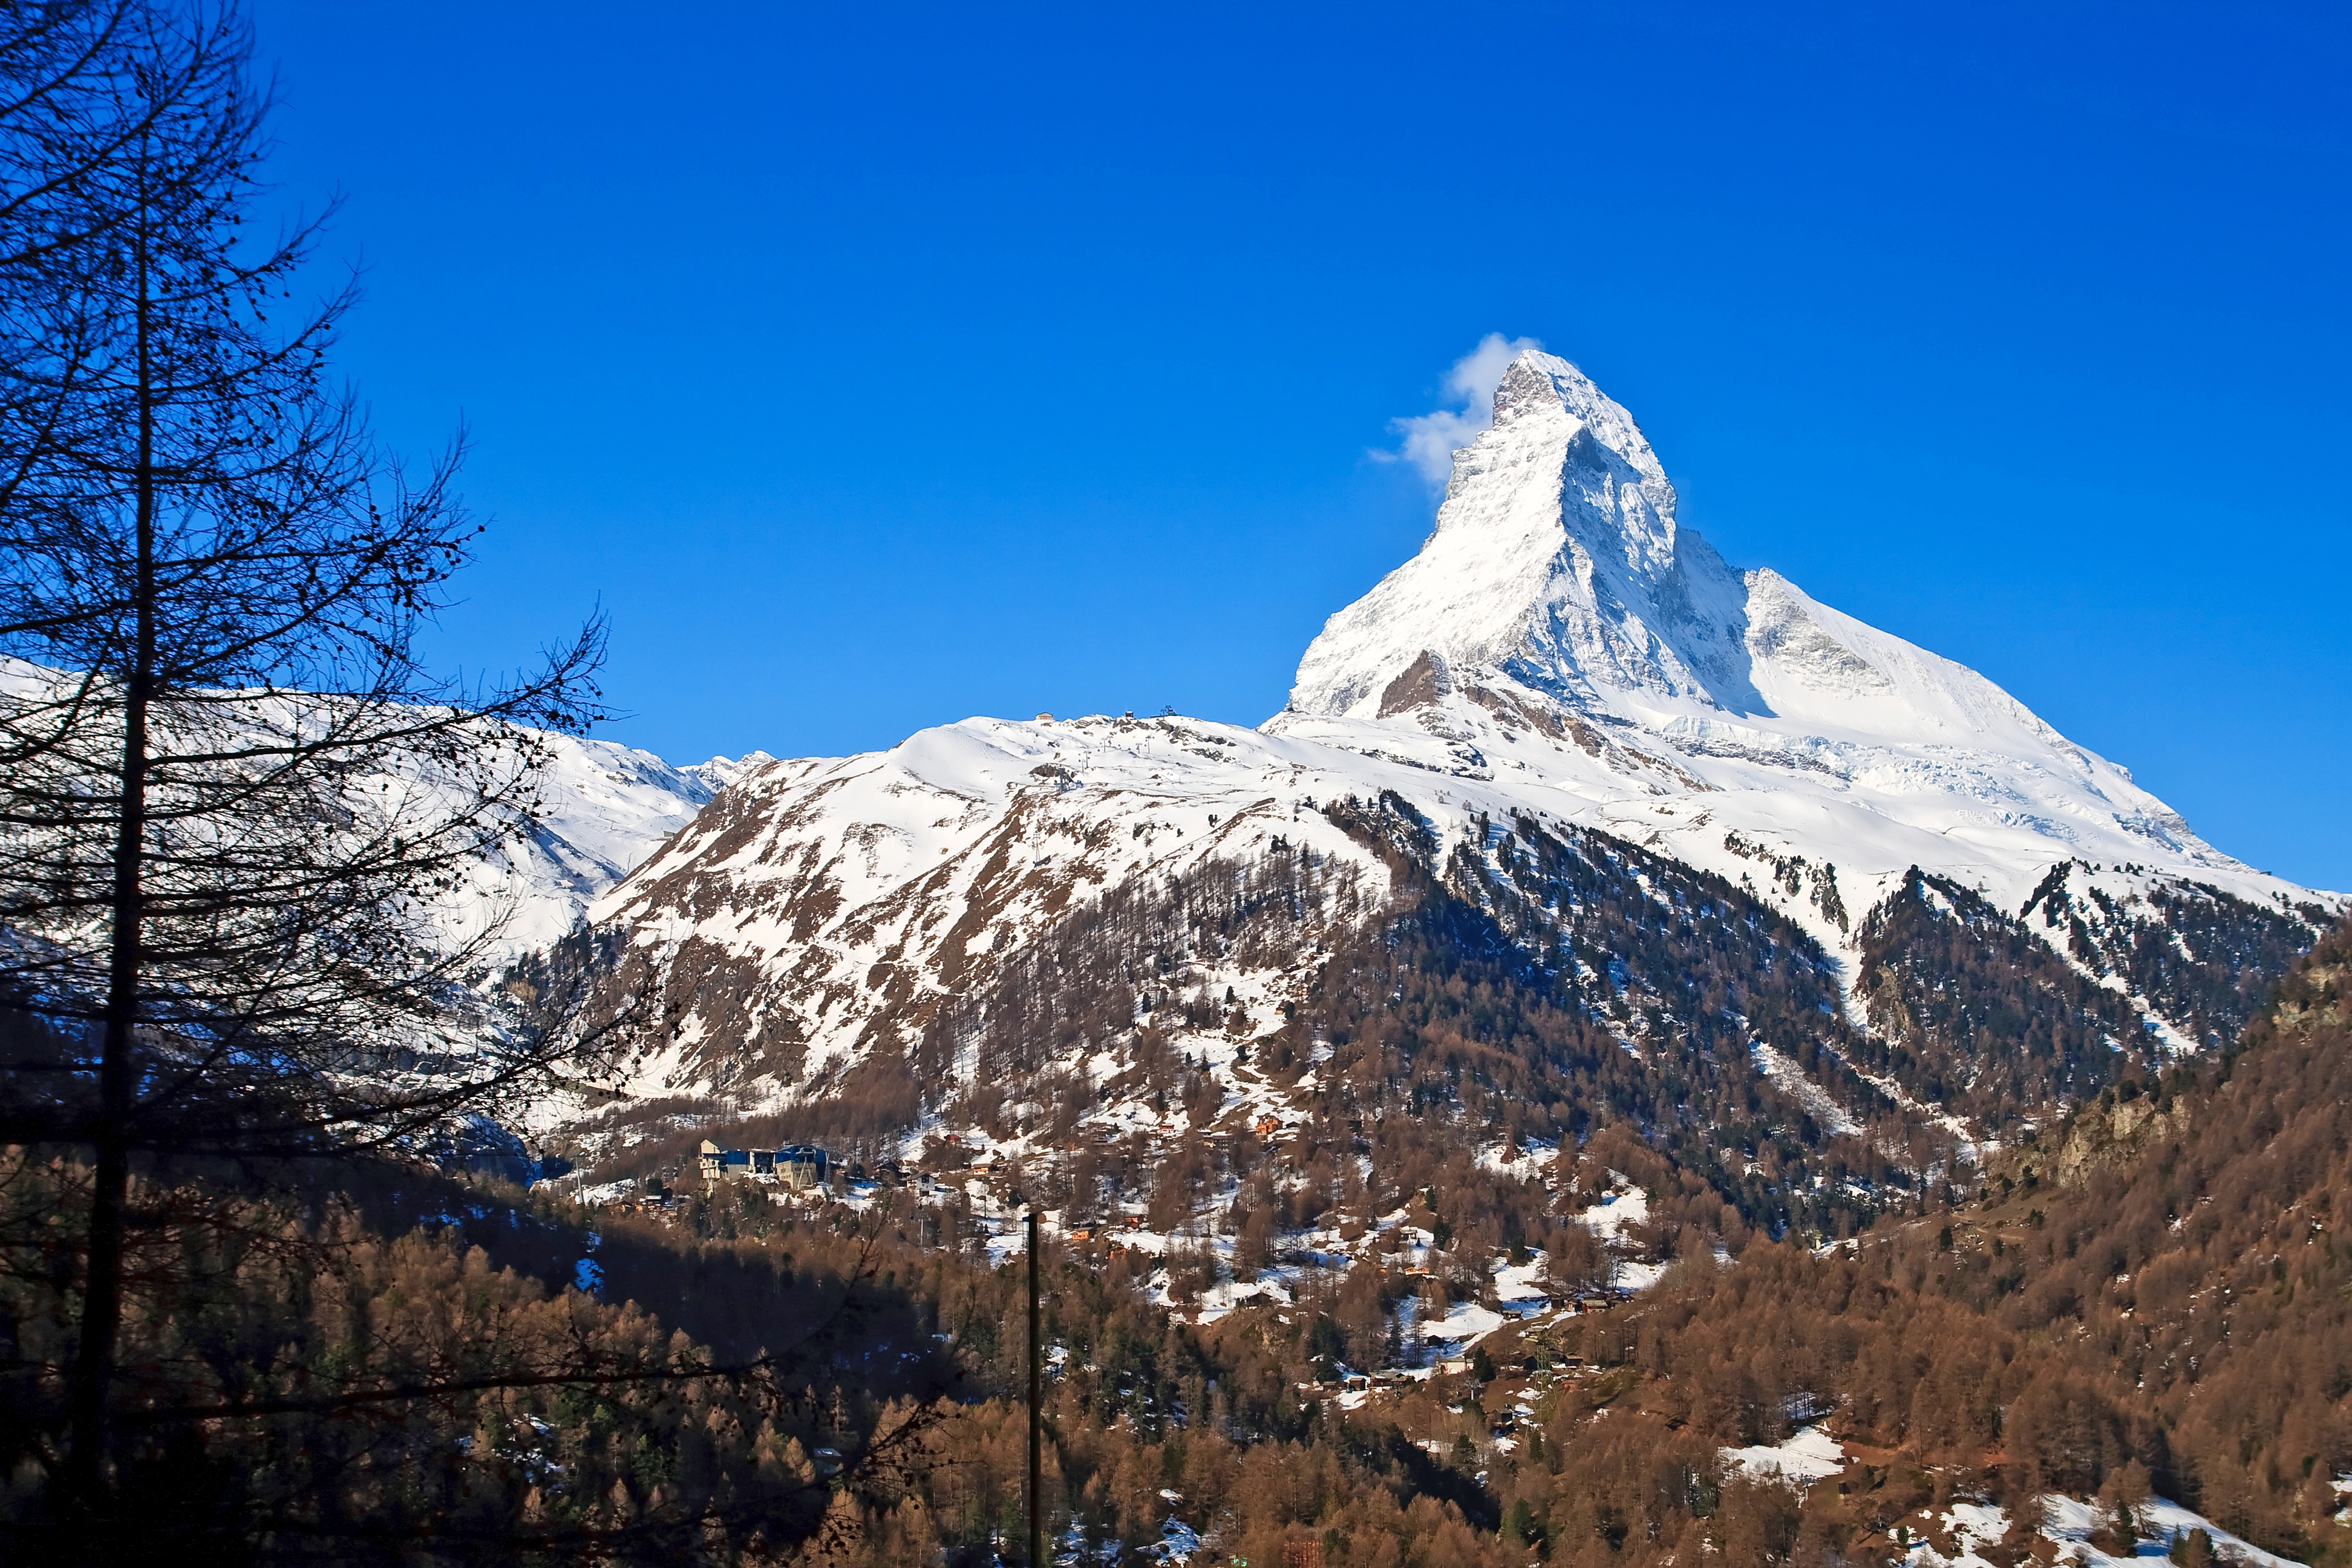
{"points": [[1558, 570]]}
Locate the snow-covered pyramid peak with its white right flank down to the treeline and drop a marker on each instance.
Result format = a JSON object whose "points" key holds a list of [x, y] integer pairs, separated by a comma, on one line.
{"points": [[1565, 634]]}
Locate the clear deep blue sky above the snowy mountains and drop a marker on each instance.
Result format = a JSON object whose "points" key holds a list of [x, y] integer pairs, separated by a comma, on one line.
{"points": [[886, 366]]}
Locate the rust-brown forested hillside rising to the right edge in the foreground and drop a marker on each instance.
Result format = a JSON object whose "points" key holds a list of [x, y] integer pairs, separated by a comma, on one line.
{"points": [[2149, 1299]]}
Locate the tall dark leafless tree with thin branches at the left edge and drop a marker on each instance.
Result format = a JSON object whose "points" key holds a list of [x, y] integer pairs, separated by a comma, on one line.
{"points": [[236, 812]]}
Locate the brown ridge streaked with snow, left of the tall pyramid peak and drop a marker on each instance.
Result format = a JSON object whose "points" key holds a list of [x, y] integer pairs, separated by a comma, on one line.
{"points": [[820, 904]]}
